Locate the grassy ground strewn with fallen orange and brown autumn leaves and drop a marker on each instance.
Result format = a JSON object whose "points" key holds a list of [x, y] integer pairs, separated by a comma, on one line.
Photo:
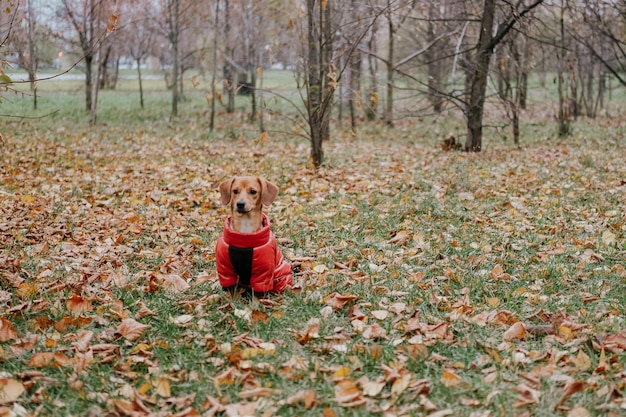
{"points": [[427, 283]]}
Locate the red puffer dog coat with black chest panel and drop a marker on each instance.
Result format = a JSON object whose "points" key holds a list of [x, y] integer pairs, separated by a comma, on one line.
{"points": [[252, 259]]}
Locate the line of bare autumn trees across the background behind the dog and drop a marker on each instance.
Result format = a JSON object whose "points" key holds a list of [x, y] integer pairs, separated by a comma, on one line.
{"points": [[367, 60]]}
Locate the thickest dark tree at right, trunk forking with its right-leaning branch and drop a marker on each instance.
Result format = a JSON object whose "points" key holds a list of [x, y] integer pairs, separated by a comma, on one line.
{"points": [[487, 41]]}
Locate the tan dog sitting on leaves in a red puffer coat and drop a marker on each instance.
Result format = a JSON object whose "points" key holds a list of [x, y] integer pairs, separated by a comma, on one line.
{"points": [[247, 253]]}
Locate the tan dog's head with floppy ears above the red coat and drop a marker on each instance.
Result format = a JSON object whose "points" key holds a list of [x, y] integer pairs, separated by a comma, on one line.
{"points": [[247, 194]]}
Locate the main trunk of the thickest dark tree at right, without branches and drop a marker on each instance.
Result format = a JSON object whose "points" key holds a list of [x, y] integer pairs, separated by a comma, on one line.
{"points": [[478, 85]]}
